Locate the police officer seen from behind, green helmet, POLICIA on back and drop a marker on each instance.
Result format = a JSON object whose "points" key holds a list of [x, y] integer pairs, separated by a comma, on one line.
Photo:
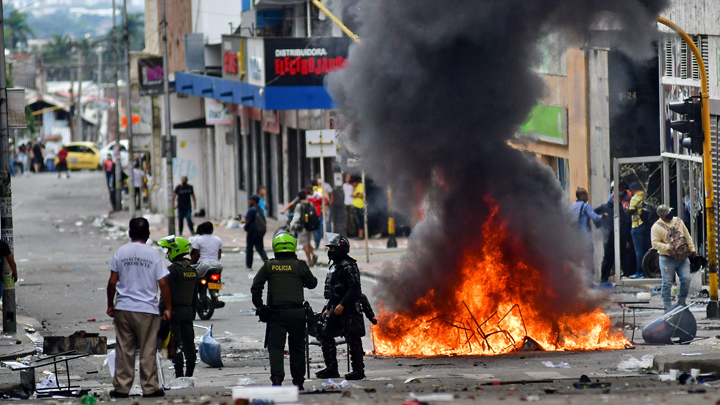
{"points": [[286, 276]]}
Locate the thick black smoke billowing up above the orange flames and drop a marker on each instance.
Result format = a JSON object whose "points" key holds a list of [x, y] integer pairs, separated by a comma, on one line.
{"points": [[429, 100]]}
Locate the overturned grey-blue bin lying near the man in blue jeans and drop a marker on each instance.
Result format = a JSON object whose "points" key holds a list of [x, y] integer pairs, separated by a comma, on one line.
{"points": [[677, 325]]}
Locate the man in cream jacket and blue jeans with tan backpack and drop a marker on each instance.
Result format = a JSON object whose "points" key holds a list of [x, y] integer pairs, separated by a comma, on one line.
{"points": [[674, 245]]}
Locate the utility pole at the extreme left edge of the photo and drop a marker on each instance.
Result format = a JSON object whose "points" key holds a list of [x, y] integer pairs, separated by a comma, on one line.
{"points": [[6, 227]]}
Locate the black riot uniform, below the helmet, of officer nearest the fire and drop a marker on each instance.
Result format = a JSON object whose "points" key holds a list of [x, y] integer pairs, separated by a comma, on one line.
{"points": [[342, 286]]}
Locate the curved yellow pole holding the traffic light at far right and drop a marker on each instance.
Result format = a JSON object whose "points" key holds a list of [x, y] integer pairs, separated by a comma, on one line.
{"points": [[712, 310]]}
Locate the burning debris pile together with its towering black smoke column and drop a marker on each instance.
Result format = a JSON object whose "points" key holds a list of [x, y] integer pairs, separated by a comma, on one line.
{"points": [[429, 101]]}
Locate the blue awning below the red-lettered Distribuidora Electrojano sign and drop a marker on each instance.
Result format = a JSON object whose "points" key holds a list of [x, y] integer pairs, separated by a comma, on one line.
{"points": [[265, 98]]}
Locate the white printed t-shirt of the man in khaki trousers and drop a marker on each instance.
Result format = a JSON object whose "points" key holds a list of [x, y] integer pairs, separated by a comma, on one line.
{"points": [[139, 268]]}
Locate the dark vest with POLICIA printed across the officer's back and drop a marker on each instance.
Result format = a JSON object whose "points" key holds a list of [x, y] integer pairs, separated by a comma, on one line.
{"points": [[285, 286]]}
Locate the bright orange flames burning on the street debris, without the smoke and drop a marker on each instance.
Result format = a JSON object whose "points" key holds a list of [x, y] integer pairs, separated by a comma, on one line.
{"points": [[494, 310]]}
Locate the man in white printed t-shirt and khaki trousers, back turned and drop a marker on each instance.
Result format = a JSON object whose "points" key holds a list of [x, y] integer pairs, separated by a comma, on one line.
{"points": [[136, 272]]}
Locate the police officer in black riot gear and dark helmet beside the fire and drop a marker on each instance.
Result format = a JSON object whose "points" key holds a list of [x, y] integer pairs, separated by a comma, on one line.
{"points": [[342, 315]]}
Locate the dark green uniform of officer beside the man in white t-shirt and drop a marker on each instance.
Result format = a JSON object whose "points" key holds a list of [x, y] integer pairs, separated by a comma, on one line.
{"points": [[182, 281]]}
